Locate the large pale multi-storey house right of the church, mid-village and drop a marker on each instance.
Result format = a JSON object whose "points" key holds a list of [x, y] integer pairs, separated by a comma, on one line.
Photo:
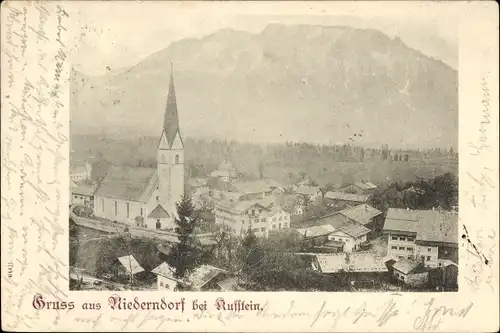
{"points": [[262, 216]]}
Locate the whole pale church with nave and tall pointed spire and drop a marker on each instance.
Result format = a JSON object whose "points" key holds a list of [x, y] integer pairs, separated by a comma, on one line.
{"points": [[147, 197]]}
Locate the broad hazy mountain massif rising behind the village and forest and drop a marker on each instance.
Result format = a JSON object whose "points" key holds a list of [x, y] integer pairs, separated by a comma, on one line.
{"points": [[296, 83]]}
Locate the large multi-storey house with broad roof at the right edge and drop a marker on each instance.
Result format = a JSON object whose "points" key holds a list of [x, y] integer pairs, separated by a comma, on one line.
{"points": [[430, 236]]}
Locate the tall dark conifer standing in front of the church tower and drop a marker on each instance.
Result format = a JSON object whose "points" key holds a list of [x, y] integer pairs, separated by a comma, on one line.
{"points": [[186, 255]]}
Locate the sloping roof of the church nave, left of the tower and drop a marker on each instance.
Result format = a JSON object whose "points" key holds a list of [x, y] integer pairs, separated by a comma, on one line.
{"points": [[128, 183]]}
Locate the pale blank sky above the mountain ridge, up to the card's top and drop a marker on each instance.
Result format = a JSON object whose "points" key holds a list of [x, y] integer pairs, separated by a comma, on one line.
{"points": [[123, 34]]}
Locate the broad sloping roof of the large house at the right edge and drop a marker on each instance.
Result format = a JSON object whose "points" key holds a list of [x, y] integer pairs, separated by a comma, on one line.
{"points": [[429, 225]]}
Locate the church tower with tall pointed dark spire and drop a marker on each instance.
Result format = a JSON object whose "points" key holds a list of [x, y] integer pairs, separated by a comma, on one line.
{"points": [[170, 157]]}
